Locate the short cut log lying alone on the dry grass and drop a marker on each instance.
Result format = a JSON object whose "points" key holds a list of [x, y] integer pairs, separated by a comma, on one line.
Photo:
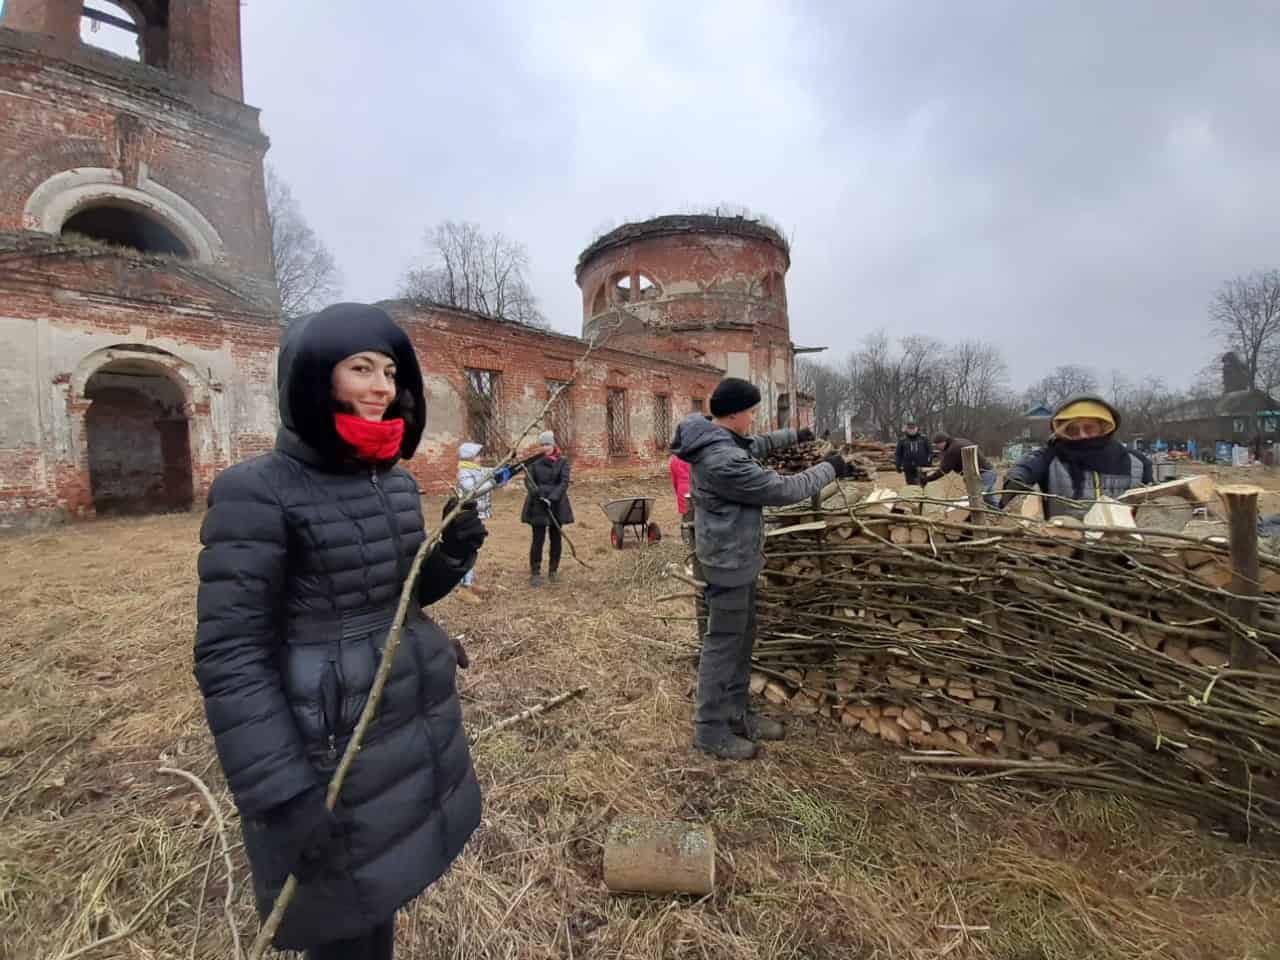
{"points": [[643, 856]]}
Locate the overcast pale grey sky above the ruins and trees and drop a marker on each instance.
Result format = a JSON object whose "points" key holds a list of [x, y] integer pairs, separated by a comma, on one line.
{"points": [[1071, 180]]}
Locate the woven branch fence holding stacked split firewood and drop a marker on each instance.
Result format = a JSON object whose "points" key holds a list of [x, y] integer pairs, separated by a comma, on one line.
{"points": [[1099, 659]]}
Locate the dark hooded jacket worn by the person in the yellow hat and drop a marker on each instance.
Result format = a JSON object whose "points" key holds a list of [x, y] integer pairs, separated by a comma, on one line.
{"points": [[1078, 470]]}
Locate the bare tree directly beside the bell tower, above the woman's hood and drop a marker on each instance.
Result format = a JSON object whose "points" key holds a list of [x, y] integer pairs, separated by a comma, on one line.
{"points": [[305, 271]]}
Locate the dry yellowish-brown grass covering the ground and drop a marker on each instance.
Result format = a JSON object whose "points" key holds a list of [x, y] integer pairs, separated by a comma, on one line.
{"points": [[829, 848]]}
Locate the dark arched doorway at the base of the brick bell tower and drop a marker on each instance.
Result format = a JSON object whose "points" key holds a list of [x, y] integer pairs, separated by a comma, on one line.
{"points": [[139, 436]]}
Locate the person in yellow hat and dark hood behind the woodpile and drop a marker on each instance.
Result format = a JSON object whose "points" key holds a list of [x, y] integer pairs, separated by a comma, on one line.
{"points": [[1082, 461]]}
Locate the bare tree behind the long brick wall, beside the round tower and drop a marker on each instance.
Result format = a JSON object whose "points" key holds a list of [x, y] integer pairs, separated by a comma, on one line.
{"points": [[470, 269]]}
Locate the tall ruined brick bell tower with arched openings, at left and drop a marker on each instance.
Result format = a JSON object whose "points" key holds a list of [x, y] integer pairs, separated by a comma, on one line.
{"points": [[139, 313]]}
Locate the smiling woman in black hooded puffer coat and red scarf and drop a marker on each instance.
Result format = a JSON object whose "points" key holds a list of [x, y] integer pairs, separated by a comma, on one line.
{"points": [[305, 554]]}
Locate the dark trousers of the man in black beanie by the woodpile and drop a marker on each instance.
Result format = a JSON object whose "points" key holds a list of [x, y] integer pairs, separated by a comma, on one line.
{"points": [[725, 669]]}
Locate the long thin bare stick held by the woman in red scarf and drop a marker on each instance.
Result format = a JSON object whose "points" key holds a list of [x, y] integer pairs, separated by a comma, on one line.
{"points": [[376, 693]]}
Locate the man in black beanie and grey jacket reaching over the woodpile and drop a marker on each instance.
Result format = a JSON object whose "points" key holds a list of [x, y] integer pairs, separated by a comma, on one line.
{"points": [[730, 488]]}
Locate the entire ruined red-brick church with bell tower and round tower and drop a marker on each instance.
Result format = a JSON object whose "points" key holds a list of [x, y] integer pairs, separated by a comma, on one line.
{"points": [[139, 312]]}
